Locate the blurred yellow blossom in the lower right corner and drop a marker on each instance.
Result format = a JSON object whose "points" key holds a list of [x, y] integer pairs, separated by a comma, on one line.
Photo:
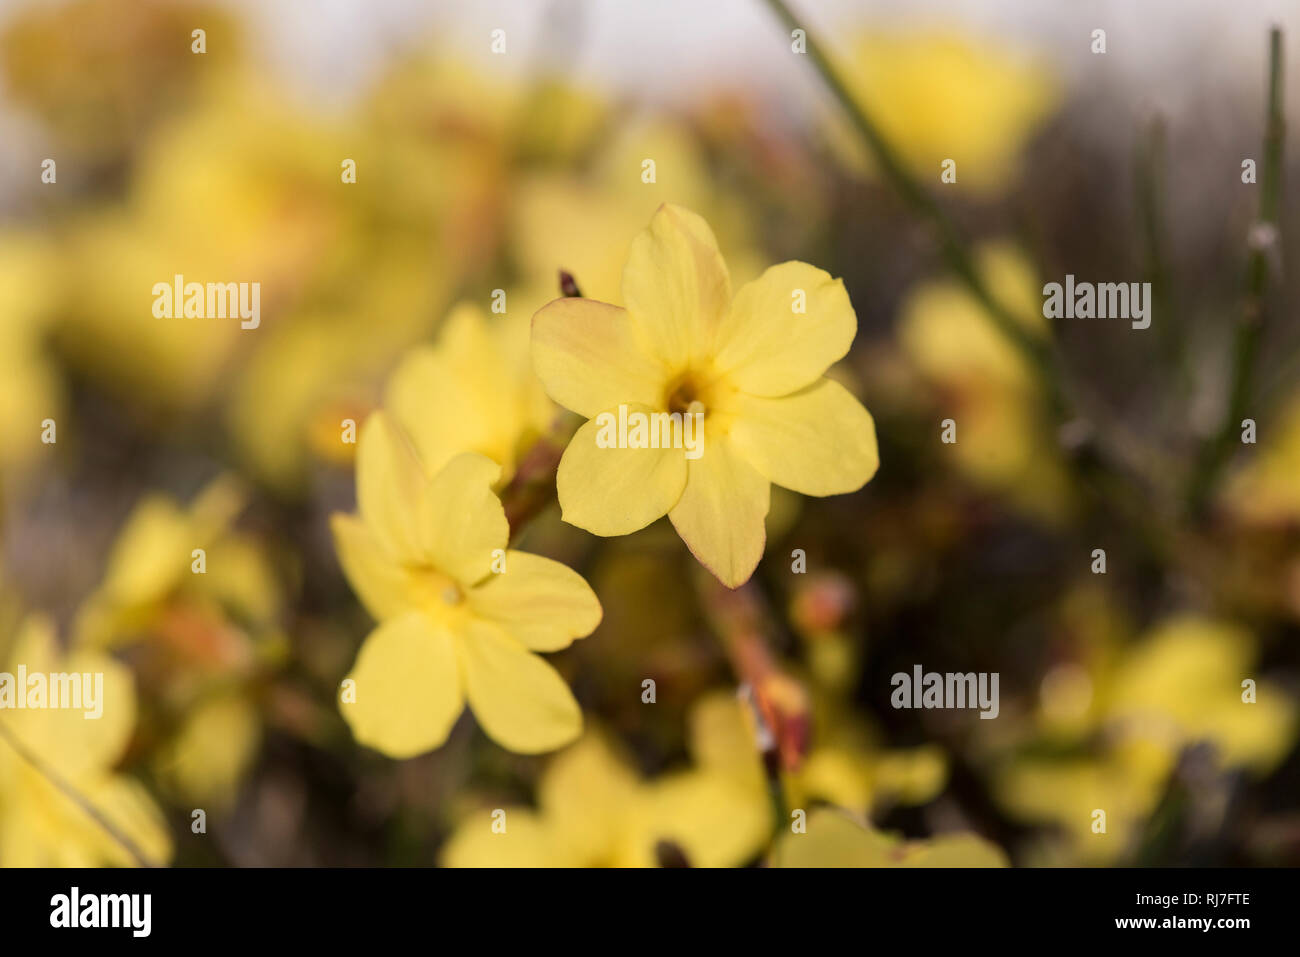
{"points": [[1178, 686]]}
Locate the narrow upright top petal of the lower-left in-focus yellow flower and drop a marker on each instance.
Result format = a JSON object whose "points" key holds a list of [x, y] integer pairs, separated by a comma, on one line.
{"points": [[391, 487]]}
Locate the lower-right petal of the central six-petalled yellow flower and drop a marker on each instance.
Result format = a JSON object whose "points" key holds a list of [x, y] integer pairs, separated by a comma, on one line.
{"points": [[820, 441]]}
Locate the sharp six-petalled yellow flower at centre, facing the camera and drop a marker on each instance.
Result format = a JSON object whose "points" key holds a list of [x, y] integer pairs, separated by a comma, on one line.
{"points": [[749, 367]]}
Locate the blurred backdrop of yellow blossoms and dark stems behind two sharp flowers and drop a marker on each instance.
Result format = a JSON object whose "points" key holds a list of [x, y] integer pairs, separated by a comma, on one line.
{"points": [[479, 172]]}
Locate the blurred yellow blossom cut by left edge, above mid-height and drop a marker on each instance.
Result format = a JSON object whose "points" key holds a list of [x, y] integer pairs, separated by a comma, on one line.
{"points": [[31, 391]]}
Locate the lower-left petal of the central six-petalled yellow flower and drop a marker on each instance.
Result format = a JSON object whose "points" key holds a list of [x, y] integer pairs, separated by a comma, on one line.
{"points": [[617, 491]]}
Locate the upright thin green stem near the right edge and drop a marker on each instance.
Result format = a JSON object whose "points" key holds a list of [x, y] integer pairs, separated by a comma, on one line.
{"points": [[1250, 322]]}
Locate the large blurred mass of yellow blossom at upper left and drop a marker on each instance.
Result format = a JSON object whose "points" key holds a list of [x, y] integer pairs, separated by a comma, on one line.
{"points": [[267, 183]]}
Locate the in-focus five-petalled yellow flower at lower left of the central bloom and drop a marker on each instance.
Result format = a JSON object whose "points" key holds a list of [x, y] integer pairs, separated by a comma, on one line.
{"points": [[461, 617]]}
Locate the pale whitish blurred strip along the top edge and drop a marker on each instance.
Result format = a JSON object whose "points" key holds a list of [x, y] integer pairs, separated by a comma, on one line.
{"points": [[666, 51]]}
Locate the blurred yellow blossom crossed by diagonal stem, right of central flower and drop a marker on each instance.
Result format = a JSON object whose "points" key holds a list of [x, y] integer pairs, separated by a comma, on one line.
{"points": [[1003, 441]]}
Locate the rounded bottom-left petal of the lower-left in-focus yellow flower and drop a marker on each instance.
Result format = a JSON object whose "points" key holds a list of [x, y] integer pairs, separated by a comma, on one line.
{"points": [[408, 688]]}
